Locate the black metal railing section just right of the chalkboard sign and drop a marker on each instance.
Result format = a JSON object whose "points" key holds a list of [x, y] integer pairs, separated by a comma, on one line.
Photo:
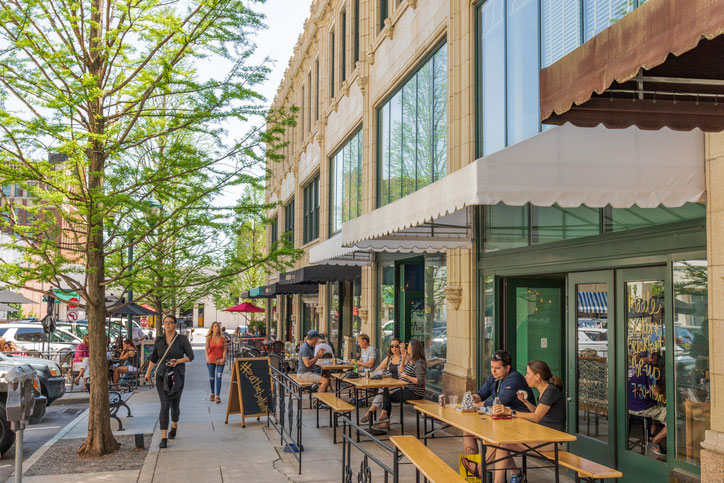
{"points": [[287, 401]]}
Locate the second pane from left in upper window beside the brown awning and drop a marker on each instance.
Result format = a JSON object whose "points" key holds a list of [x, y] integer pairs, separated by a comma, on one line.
{"points": [[522, 63]]}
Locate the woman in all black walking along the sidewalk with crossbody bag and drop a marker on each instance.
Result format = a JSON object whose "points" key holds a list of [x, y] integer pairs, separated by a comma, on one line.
{"points": [[171, 352]]}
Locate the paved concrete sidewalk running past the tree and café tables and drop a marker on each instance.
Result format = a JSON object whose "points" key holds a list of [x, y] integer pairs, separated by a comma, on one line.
{"points": [[207, 450]]}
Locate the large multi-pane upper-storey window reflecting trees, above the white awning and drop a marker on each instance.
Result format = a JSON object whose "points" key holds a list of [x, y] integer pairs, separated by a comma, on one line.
{"points": [[413, 132]]}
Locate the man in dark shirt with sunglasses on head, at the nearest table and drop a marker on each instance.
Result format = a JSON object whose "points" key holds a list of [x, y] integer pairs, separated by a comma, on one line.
{"points": [[503, 383]]}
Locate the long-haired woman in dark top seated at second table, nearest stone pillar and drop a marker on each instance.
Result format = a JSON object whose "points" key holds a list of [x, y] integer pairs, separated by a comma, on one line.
{"points": [[414, 371]]}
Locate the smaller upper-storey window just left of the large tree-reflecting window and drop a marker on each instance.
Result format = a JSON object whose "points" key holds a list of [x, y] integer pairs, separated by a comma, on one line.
{"points": [[345, 187]]}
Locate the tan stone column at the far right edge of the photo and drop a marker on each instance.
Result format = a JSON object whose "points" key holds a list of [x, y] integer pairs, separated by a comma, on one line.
{"points": [[712, 455]]}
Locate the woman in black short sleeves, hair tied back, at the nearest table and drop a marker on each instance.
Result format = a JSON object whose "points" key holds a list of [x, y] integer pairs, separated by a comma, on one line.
{"points": [[550, 412]]}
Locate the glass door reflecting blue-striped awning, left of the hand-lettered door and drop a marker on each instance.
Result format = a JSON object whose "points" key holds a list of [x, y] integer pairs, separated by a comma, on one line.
{"points": [[590, 397]]}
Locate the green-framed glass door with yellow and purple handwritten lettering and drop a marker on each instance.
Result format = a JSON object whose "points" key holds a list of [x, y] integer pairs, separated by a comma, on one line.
{"points": [[642, 355]]}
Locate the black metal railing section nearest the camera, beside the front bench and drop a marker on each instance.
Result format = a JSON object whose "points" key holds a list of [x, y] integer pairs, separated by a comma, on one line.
{"points": [[364, 473]]}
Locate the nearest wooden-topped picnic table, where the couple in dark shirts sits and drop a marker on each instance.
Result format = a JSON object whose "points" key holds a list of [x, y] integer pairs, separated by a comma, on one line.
{"points": [[495, 433]]}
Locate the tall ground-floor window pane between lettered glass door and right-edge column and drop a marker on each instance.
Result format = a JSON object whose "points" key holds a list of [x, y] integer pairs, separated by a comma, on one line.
{"points": [[691, 358]]}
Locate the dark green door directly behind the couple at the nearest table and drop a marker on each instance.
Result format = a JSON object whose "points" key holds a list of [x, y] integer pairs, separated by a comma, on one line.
{"points": [[534, 317]]}
